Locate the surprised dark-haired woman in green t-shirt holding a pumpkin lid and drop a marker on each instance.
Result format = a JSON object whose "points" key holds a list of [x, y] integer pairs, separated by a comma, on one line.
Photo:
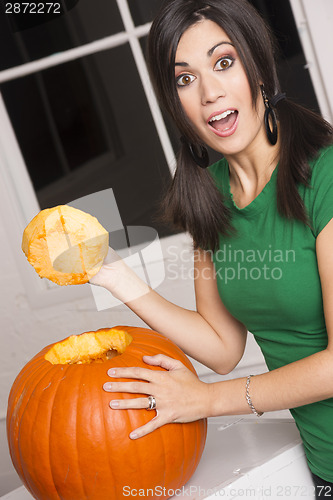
{"points": [[268, 201]]}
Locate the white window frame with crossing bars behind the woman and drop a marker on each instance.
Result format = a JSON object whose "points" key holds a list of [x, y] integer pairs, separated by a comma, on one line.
{"points": [[18, 200]]}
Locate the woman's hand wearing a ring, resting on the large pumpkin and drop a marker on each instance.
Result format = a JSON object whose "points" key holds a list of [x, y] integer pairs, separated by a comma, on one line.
{"points": [[180, 396]]}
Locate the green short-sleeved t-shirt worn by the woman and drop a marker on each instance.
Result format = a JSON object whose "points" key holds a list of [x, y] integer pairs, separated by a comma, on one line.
{"points": [[267, 277]]}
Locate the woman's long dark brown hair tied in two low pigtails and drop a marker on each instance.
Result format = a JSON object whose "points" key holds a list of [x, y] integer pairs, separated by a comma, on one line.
{"points": [[193, 202]]}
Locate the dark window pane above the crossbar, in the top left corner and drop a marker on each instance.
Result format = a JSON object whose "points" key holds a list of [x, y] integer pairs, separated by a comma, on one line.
{"points": [[31, 36]]}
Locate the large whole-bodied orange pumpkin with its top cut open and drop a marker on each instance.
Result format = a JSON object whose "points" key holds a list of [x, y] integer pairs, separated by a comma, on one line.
{"points": [[66, 442]]}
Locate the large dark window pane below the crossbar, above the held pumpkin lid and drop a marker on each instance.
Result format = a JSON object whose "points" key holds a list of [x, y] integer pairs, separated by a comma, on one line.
{"points": [[85, 126]]}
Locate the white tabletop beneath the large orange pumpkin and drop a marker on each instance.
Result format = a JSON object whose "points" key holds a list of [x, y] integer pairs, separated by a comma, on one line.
{"points": [[244, 457]]}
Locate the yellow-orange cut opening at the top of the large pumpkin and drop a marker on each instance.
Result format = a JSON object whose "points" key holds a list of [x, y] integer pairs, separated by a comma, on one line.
{"points": [[89, 347]]}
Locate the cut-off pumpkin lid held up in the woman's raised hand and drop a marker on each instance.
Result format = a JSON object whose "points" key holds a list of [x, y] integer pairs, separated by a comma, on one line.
{"points": [[65, 245]]}
